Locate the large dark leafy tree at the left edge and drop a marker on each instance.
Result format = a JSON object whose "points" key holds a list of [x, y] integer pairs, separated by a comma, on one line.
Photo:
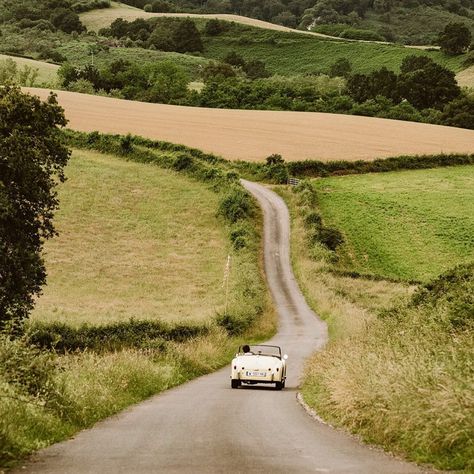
{"points": [[32, 158]]}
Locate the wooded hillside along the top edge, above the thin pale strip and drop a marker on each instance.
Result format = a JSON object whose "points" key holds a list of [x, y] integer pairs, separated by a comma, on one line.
{"points": [[405, 21]]}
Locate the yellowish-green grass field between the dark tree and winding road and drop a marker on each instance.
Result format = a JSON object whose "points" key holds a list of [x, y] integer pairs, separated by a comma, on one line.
{"points": [[130, 245]]}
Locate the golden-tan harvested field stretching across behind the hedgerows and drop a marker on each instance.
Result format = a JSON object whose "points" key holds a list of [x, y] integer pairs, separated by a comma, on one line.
{"points": [[254, 135]]}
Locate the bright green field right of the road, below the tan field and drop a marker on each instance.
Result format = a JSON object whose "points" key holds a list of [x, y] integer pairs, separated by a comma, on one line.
{"points": [[411, 225]]}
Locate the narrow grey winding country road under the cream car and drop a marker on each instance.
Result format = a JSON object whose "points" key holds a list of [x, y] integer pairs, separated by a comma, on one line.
{"points": [[206, 427]]}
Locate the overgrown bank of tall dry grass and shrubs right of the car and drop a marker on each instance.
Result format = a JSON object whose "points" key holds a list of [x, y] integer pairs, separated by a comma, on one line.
{"points": [[423, 348]]}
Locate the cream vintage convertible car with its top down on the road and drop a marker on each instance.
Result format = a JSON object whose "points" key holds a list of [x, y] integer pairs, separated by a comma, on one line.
{"points": [[259, 364]]}
